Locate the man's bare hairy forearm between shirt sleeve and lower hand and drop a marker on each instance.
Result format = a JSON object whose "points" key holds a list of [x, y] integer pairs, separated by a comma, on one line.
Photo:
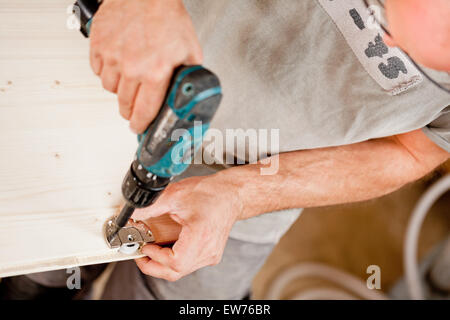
{"points": [[329, 176]]}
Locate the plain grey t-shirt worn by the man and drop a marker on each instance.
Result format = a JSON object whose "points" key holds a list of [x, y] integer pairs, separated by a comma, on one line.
{"points": [[286, 65]]}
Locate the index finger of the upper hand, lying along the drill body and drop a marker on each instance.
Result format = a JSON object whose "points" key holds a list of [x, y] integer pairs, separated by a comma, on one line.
{"points": [[147, 104]]}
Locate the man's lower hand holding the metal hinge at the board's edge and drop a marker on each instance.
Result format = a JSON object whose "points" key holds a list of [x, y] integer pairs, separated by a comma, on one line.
{"points": [[206, 208]]}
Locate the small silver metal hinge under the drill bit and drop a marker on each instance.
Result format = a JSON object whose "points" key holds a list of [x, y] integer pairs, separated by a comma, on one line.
{"points": [[130, 238]]}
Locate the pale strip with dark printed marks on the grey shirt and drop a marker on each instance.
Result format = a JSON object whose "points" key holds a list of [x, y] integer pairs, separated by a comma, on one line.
{"points": [[389, 67]]}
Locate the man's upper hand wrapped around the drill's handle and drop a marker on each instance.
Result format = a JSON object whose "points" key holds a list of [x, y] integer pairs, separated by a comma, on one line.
{"points": [[135, 46]]}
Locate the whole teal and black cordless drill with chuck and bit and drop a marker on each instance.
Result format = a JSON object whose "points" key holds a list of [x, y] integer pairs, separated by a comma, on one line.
{"points": [[190, 104]]}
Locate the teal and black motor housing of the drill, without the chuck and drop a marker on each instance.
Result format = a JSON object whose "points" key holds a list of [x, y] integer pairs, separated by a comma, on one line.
{"points": [[168, 145]]}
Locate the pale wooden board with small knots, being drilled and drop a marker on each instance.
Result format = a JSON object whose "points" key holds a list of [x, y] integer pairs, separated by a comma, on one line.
{"points": [[63, 147]]}
